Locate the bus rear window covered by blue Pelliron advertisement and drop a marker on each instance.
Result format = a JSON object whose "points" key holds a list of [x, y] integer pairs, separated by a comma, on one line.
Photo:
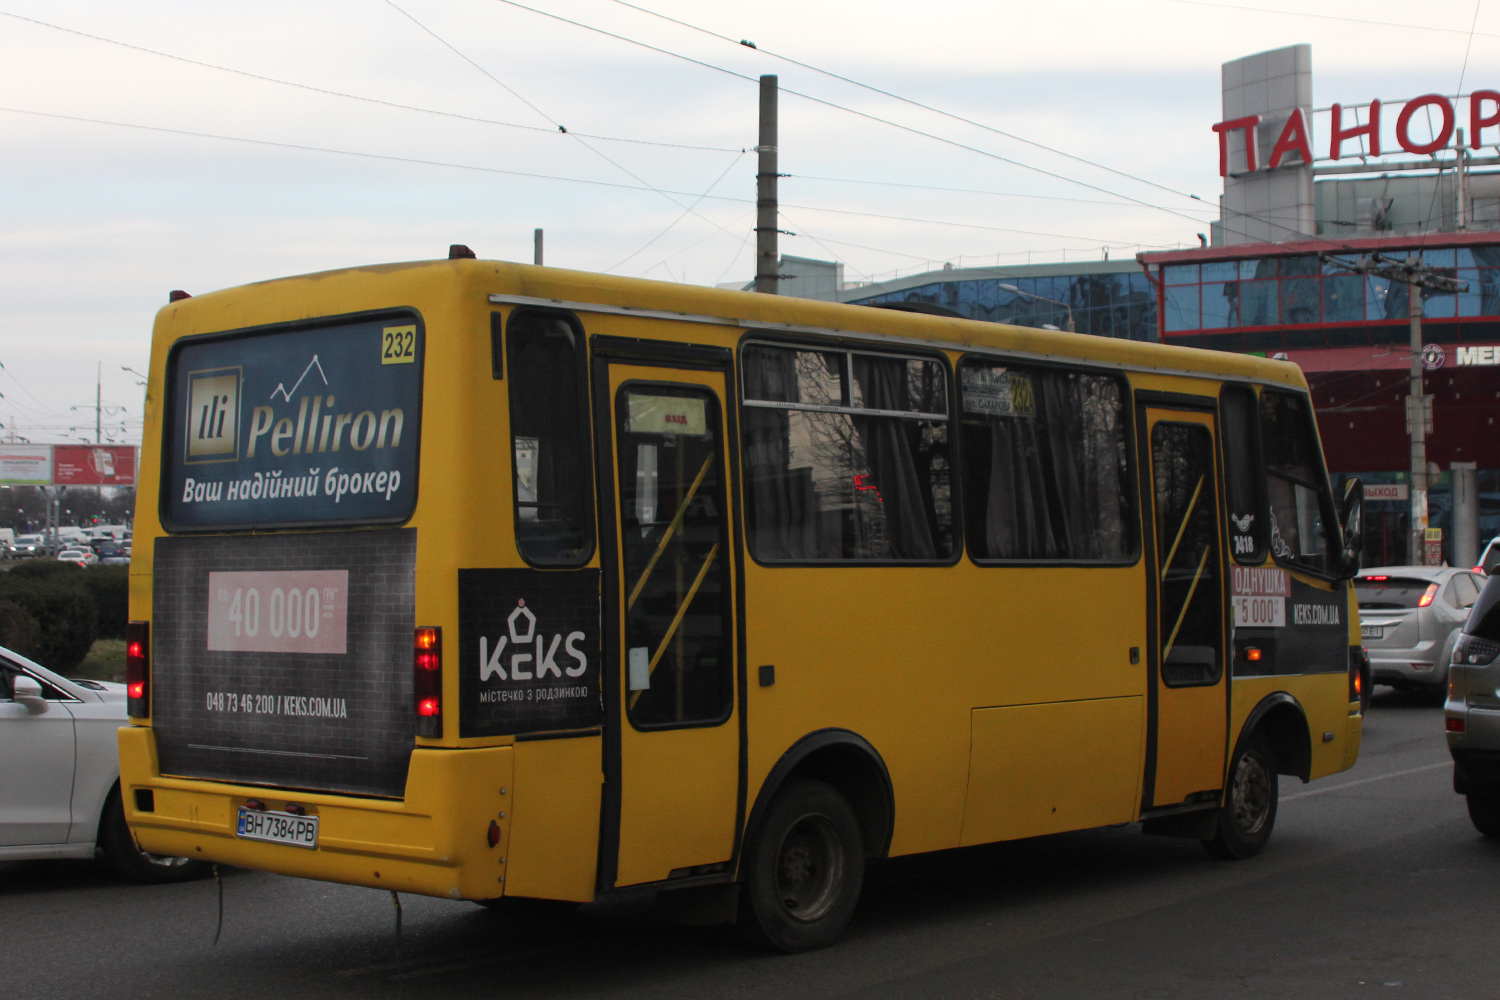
{"points": [[307, 425]]}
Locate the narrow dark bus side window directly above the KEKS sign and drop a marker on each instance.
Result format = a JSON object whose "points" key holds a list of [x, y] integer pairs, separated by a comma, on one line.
{"points": [[550, 440]]}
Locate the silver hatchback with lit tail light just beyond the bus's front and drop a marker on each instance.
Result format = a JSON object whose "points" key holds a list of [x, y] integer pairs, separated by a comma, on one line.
{"points": [[1411, 618]]}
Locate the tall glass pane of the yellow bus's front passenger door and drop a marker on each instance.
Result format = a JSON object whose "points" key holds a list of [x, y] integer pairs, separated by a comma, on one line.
{"points": [[1187, 552]]}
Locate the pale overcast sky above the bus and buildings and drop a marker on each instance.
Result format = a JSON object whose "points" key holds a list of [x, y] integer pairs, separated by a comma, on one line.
{"points": [[128, 173]]}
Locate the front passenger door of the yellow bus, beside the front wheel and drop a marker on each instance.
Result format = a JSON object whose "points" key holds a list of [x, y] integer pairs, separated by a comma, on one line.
{"points": [[1189, 701]]}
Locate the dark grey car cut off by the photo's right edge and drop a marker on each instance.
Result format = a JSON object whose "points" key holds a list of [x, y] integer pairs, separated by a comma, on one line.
{"points": [[1472, 713]]}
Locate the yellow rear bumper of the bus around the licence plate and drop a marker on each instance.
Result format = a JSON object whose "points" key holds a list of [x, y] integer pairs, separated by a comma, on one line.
{"points": [[436, 842]]}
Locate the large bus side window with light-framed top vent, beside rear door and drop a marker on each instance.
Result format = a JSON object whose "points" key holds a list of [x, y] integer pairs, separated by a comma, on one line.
{"points": [[847, 457]]}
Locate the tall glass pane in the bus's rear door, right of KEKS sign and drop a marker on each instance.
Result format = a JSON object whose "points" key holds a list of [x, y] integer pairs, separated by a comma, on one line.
{"points": [[674, 540]]}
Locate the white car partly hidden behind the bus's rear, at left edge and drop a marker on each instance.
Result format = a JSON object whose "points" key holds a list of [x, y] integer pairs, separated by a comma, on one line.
{"points": [[61, 774]]}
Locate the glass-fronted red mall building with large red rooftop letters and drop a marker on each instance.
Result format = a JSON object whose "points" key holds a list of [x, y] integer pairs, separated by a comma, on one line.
{"points": [[1310, 194]]}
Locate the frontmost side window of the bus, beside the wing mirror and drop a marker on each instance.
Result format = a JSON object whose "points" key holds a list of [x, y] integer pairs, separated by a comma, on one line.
{"points": [[1297, 491]]}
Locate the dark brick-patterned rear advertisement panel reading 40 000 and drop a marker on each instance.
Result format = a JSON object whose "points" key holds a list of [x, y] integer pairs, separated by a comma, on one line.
{"points": [[245, 693]]}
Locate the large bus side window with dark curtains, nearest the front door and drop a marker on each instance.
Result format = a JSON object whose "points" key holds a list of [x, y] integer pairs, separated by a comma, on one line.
{"points": [[1046, 466]]}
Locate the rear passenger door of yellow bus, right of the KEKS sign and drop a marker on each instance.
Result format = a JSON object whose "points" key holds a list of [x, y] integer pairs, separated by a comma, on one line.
{"points": [[673, 735]]}
